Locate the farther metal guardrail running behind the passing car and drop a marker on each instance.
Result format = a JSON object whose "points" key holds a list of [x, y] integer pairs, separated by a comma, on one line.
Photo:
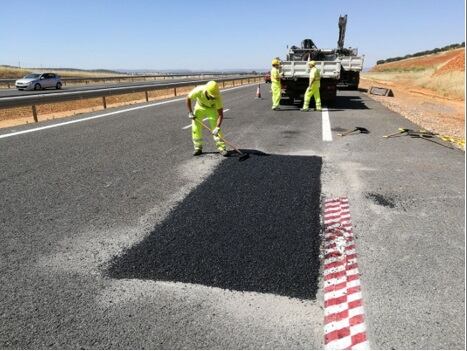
{"points": [[11, 81]]}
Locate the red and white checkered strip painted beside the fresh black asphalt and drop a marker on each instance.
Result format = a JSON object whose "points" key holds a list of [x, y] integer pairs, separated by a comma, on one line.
{"points": [[344, 325]]}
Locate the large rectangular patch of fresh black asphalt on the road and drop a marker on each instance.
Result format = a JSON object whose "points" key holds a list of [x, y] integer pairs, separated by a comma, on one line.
{"points": [[250, 226]]}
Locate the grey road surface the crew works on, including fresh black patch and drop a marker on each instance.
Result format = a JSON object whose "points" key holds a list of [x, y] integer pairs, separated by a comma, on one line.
{"points": [[114, 236]]}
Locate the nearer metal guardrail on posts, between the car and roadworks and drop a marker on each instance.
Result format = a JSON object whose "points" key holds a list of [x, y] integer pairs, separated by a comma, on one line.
{"points": [[40, 99]]}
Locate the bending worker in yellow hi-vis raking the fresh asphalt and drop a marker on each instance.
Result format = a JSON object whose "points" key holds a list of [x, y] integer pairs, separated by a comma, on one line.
{"points": [[208, 105]]}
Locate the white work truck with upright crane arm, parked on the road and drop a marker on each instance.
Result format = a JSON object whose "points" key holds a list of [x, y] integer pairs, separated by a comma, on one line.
{"points": [[339, 68]]}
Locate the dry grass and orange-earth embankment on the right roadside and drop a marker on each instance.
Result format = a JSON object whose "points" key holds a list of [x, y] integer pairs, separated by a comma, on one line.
{"points": [[428, 90]]}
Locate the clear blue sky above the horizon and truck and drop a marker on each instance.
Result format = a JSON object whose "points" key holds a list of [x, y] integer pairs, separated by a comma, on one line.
{"points": [[214, 34]]}
